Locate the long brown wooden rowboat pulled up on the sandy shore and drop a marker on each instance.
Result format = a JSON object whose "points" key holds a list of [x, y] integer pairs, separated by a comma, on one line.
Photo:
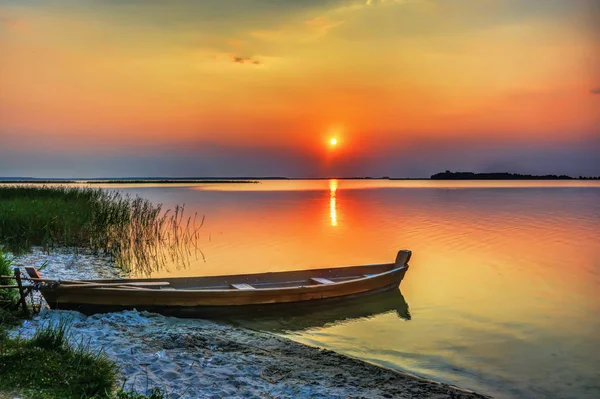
{"points": [[217, 295]]}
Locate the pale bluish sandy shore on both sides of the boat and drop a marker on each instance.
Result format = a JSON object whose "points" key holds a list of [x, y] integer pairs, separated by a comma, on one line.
{"points": [[190, 358]]}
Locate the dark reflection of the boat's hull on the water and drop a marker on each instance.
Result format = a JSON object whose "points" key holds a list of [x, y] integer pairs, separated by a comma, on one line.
{"points": [[327, 312]]}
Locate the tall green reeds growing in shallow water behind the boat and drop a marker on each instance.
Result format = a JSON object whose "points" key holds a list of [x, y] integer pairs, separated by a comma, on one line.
{"points": [[138, 234]]}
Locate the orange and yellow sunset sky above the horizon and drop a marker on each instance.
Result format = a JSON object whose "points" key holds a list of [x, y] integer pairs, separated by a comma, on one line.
{"points": [[113, 88]]}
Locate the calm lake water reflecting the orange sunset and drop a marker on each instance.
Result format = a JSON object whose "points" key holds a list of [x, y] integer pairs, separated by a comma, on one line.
{"points": [[503, 291]]}
